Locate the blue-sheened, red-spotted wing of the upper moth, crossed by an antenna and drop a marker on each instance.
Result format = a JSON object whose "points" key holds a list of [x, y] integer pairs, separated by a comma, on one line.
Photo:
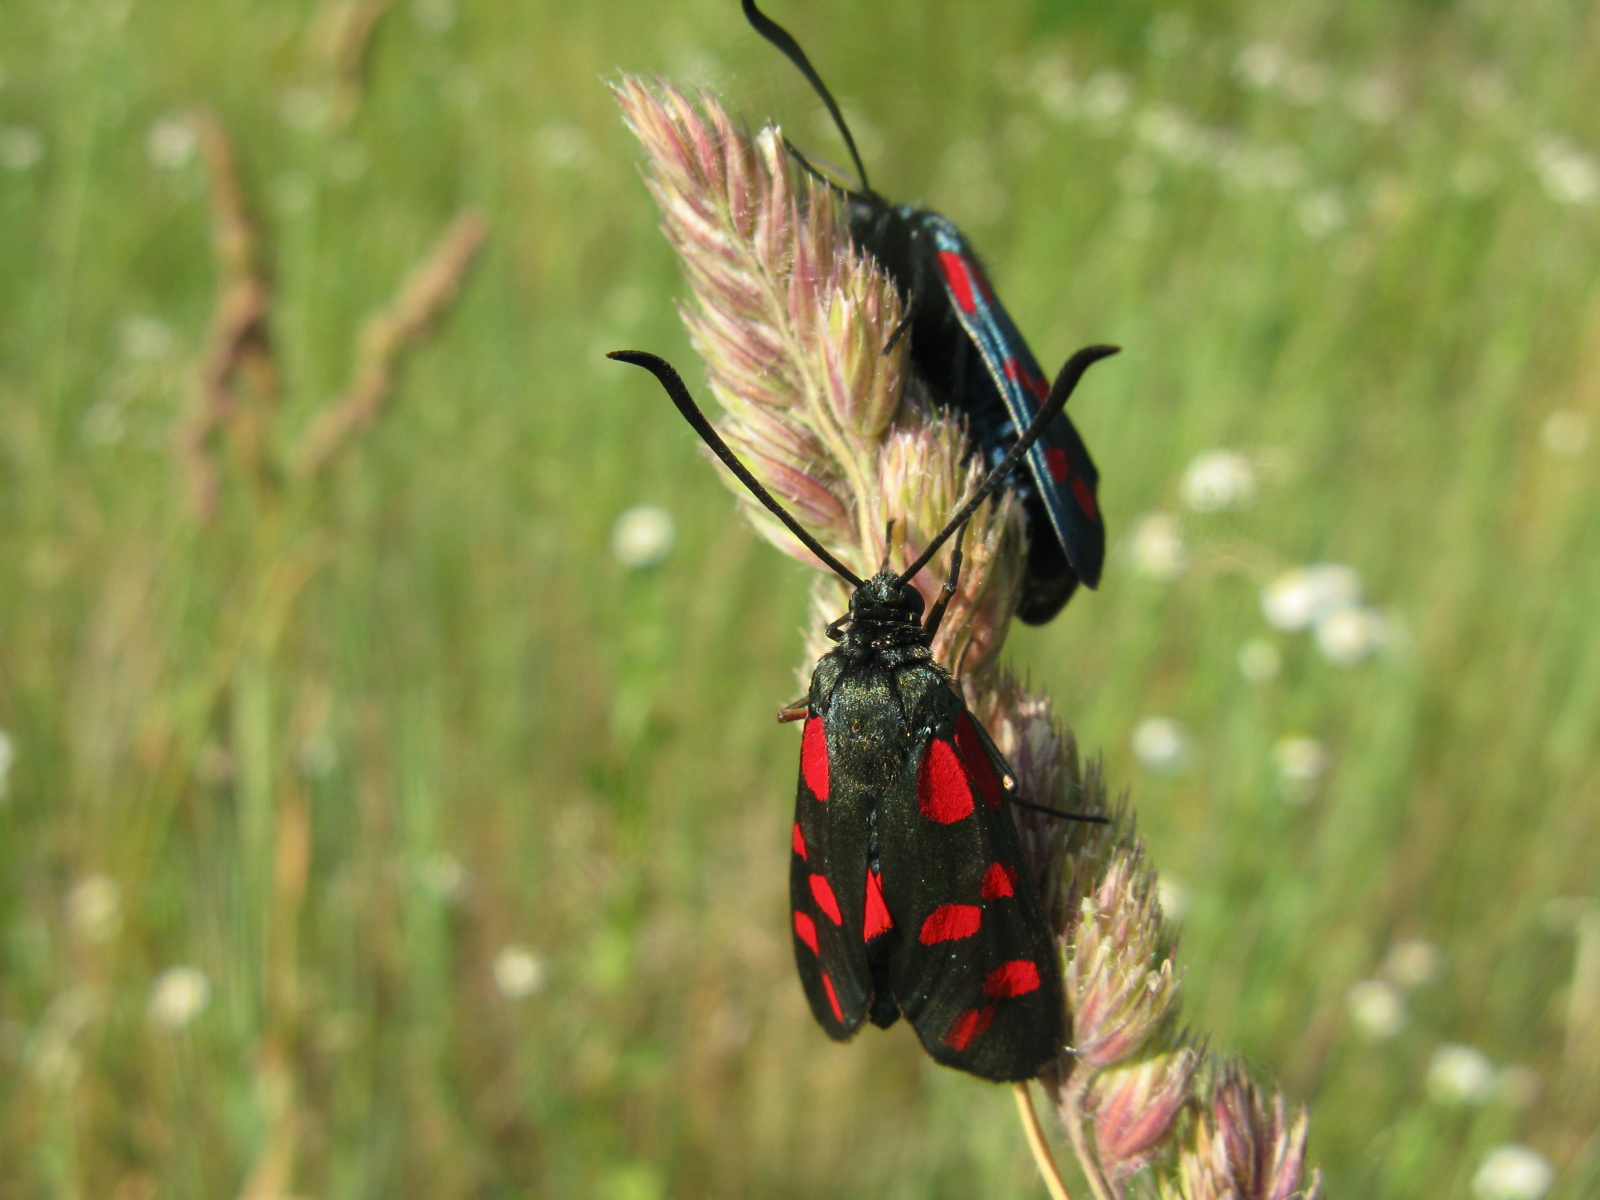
{"points": [[1060, 463]]}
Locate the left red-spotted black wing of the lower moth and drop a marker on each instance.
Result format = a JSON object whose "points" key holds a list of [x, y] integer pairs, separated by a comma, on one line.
{"points": [[828, 870]]}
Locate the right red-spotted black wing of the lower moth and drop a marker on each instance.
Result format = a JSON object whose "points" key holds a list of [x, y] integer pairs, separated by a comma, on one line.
{"points": [[972, 964]]}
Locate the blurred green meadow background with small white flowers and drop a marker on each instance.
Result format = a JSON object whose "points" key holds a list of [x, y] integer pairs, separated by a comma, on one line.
{"points": [[538, 946]]}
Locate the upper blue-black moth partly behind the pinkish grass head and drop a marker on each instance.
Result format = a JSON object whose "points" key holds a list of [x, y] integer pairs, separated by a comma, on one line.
{"points": [[967, 350]]}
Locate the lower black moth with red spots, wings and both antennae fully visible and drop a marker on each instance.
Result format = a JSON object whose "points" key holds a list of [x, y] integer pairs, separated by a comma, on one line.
{"points": [[908, 886]]}
